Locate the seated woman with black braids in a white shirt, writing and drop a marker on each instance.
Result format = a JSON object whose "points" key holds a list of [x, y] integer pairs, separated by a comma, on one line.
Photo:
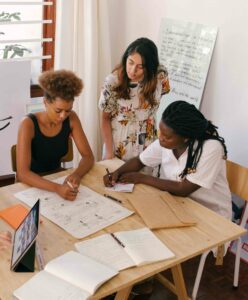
{"points": [[192, 157]]}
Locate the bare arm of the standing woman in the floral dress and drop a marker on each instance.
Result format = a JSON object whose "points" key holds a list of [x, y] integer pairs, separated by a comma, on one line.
{"points": [[107, 135]]}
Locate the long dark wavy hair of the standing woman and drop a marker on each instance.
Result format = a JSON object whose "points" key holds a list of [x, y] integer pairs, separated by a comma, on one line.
{"points": [[149, 54]]}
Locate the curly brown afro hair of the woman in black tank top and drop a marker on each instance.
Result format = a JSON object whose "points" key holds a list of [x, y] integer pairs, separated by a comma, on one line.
{"points": [[62, 83]]}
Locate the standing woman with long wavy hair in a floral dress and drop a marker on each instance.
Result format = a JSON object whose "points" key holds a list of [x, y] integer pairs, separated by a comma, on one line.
{"points": [[129, 101]]}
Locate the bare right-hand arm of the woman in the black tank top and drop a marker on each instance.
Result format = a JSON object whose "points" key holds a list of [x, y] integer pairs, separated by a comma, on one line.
{"points": [[84, 149]]}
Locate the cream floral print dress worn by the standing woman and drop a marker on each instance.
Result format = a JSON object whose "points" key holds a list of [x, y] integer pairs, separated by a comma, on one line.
{"points": [[133, 125]]}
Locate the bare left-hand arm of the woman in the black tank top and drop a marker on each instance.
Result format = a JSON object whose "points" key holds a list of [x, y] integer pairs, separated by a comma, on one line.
{"points": [[24, 174]]}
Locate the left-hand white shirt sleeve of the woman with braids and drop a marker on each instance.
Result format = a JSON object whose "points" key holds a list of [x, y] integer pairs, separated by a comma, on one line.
{"points": [[152, 155]]}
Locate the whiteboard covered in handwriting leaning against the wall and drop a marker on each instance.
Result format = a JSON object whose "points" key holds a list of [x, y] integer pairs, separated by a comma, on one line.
{"points": [[185, 49]]}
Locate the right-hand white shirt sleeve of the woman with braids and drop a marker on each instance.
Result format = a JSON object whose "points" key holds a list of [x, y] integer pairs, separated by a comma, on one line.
{"points": [[209, 165]]}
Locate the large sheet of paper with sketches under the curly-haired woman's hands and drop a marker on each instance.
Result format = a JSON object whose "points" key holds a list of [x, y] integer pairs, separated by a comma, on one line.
{"points": [[87, 214]]}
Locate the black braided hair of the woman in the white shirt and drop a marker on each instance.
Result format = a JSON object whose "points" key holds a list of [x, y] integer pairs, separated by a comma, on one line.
{"points": [[187, 121]]}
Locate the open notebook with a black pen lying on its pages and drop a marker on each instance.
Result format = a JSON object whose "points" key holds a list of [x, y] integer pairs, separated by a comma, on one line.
{"points": [[125, 249]]}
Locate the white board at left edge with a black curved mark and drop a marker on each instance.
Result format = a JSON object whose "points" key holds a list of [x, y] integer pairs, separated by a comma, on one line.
{"points": [[14, 95]]}
